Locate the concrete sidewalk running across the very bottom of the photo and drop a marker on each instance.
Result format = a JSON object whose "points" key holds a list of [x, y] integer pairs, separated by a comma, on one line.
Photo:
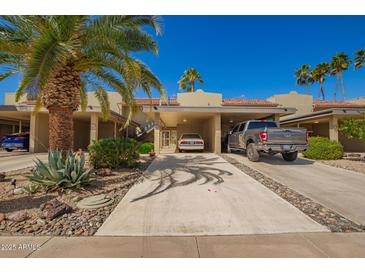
{"points": [[247, 246]]}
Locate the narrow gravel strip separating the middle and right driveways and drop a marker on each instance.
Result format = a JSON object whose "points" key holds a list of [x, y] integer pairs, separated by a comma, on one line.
{"points": [[332, 220]]}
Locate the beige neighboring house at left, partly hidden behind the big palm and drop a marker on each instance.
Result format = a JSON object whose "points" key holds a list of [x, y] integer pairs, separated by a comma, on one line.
{"points": [[88, 125]]}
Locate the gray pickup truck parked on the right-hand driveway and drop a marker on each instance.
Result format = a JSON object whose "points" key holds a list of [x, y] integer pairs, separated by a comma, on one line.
{"points": [[257, 136]]}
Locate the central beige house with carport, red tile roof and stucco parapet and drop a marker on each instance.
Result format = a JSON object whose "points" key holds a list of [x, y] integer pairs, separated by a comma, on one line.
{"points": [[205, 113]]}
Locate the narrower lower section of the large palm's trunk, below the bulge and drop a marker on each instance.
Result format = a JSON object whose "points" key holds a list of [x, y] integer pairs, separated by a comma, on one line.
{"points": [[60, 128]]}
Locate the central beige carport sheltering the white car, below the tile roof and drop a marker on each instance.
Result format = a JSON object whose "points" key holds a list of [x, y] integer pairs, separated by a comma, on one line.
{"points": [[212, 123]]}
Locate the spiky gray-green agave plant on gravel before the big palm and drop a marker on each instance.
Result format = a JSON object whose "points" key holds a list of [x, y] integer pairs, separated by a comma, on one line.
{"points": [[61, 172]]}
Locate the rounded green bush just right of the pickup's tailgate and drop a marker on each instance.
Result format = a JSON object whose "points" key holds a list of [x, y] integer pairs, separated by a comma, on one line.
{"points": [[321, 148]]}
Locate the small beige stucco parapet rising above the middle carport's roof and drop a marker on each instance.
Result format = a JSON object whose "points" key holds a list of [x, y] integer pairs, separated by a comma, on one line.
{"points": [[199, 98]]}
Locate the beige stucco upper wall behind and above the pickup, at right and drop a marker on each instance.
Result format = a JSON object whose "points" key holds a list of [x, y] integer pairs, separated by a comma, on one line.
{"points": [[302, 102]]}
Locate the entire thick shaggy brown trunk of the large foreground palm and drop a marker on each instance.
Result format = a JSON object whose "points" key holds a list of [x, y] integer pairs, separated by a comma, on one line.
{"points": [[61, 97]]}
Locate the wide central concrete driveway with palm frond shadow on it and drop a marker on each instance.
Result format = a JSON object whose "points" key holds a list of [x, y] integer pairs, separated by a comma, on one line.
{"points": [[202, 194]]}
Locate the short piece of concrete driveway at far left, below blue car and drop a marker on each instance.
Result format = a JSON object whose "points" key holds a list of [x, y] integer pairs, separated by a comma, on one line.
{"points": [[19, 160]]}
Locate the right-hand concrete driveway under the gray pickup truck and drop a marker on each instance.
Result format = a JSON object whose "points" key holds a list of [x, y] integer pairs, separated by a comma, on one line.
{"points": [[341, 190]]}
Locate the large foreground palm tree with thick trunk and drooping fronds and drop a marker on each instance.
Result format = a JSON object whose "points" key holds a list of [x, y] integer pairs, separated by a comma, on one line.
{"points": [[60, 57]]}
